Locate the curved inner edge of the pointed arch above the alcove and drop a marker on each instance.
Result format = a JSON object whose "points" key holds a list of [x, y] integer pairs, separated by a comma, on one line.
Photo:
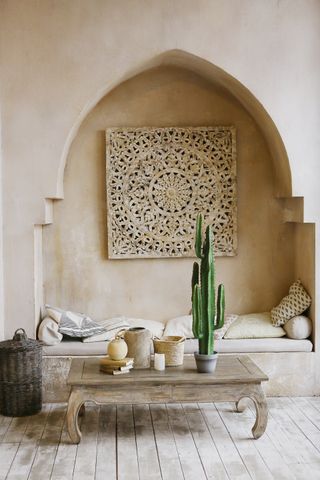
{"points": [[222, 79]]}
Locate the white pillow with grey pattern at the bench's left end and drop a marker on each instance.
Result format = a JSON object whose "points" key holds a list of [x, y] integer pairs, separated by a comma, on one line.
{"points": [[74, 324]]}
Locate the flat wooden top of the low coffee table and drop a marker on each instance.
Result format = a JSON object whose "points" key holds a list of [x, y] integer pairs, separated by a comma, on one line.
{"points": [[231, 369]]}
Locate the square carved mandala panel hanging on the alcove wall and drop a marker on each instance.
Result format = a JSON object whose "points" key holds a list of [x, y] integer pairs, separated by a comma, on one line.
{"points": [[159, 179]]}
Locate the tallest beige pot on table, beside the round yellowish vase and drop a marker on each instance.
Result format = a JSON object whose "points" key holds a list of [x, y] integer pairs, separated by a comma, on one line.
{"points": [[138, 340]]}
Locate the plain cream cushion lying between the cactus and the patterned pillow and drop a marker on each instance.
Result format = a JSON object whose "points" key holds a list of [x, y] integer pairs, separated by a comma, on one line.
{"points": [[254, 325]]}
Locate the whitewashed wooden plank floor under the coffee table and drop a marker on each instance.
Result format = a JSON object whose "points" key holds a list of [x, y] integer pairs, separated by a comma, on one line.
{"points": [[165, 442]]}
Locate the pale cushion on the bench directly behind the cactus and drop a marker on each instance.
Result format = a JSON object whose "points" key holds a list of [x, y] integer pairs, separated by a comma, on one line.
{"points": [[182, 326]]}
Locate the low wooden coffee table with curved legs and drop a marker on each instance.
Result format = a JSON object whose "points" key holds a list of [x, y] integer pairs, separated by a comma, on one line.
{"points": [[235, 377]]}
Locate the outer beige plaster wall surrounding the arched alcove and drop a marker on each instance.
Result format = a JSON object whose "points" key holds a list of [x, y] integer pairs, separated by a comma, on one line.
{"points": [[58, 58]]}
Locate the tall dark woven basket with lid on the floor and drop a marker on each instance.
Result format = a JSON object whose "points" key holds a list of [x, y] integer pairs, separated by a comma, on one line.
{"points": [[20, 376]]}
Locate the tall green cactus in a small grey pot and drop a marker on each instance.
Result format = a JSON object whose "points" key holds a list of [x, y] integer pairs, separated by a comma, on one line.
{"points": [[206, 315]]}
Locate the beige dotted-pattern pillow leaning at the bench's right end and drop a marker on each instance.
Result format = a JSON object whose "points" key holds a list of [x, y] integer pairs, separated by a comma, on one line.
{"points": [[293, 304]]}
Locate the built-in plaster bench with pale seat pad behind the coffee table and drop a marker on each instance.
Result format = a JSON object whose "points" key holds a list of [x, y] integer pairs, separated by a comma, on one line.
{"points": [[287, 362]]}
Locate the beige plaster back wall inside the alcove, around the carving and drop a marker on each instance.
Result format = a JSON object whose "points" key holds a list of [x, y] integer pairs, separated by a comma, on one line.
{"points": [[78, 274]]}
